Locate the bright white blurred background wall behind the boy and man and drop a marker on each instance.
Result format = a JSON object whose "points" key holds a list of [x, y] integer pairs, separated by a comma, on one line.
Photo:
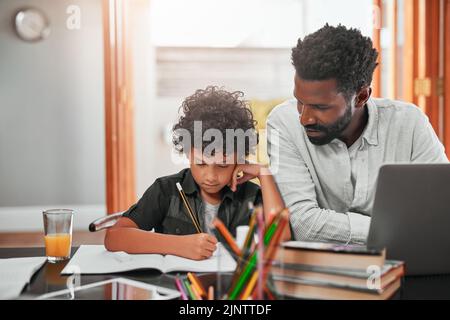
{"points": [[168, 24]]}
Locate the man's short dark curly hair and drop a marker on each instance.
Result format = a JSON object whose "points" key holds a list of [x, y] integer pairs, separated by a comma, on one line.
{"points": [[336, 53]]}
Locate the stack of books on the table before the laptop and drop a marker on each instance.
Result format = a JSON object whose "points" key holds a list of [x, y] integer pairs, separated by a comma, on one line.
{"points": [[311, 270]]}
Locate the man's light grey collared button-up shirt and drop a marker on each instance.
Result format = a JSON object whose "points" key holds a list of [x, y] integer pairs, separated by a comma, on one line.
{"points": [[330, 189]]}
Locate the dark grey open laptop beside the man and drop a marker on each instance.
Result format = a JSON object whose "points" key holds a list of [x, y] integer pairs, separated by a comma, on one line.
{"points": [[411, 216]]}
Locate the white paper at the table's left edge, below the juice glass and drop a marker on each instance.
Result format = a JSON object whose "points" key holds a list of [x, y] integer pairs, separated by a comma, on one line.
{"points": [[15, 273]]}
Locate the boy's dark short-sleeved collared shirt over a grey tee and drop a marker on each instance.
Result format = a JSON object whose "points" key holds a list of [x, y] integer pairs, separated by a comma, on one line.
{"points": [[162, 209]]}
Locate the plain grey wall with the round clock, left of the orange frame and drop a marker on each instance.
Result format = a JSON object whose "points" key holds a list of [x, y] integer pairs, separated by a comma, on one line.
{"points": [[51, 114]]}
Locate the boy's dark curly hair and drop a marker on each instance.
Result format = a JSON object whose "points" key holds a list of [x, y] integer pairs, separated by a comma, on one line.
{"points": [[216, 109]]}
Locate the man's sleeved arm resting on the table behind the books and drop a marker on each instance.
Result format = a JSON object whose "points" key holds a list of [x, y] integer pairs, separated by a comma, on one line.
{"points": [[309, 222]]}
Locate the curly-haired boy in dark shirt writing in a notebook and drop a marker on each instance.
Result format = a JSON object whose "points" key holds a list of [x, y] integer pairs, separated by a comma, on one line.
{"points": [[216, 184]]}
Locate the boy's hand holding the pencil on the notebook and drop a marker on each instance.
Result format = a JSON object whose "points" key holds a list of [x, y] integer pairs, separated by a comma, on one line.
{"points": [[198, 246]]}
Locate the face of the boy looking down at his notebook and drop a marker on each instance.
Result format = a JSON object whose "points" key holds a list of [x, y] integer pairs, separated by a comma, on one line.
{"points": [[212, 173]]}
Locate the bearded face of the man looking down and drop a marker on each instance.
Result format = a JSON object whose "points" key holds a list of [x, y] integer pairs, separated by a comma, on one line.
{"points": [[324, 112]]}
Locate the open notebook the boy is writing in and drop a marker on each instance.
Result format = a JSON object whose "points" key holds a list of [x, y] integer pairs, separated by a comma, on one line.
{"points": [[95, 259]]}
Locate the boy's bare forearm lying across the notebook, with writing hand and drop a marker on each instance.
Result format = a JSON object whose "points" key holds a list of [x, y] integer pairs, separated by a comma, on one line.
{"points": [[126, 236]]}
